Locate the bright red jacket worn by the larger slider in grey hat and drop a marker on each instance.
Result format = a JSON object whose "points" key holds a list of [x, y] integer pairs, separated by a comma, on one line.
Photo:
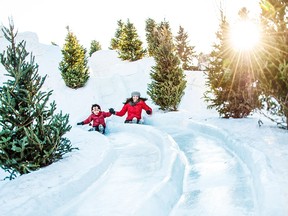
{"points": [[133, 111]]}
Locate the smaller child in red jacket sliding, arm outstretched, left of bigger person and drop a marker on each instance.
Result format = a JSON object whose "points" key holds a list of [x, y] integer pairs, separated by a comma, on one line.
{"points": [[98, 118]]}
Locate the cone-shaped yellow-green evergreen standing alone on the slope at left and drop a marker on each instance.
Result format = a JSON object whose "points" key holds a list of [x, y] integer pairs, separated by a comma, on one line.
{"points": [[73, 67]]}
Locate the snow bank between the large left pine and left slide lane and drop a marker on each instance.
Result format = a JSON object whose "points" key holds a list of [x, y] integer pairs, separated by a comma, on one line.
{"points": [[69, 178]]}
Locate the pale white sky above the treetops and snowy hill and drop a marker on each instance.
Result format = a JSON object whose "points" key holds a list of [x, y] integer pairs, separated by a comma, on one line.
{"points": [[97, 20]]}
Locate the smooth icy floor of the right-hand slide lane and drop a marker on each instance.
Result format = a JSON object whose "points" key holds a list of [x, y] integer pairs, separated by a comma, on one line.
{"points": [[216, 181]]}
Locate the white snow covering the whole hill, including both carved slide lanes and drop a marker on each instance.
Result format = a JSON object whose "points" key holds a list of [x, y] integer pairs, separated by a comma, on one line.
{"points": [[189, 162]]}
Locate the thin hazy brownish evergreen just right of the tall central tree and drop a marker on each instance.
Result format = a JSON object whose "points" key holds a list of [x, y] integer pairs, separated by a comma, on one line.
{"points": [[185, 52]]}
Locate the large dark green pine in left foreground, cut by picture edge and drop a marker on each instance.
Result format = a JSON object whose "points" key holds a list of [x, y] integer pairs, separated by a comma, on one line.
{"points": [[31, 134]]}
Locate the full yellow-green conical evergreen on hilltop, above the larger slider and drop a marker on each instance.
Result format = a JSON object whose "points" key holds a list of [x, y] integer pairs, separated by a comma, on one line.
{"points": [[129, 44]]}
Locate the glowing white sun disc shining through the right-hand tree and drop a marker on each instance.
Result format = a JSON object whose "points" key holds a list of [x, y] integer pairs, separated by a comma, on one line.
{"points": [[245, 35]]}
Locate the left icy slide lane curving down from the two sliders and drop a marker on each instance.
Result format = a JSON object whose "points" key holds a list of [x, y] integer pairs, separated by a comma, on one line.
{"points": [[139, 171]]}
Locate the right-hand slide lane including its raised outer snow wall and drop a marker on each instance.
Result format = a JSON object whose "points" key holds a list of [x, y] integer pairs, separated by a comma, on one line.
{"points": [[243, 169]]}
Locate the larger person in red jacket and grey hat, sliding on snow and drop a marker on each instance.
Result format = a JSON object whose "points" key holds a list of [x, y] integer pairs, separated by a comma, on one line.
{"points": [[133, 107]]}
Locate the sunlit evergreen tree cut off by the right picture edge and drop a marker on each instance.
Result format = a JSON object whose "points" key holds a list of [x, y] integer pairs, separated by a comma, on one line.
{"points": [[274, 77]]}
